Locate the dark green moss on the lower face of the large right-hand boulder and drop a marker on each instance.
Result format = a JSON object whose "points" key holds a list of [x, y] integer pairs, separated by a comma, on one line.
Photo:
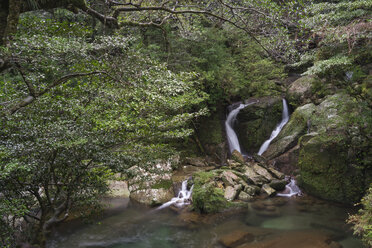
{"points": [[325, 171]]}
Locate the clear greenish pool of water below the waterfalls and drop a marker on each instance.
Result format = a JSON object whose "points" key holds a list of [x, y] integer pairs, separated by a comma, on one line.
{"points": [[136, 226]]}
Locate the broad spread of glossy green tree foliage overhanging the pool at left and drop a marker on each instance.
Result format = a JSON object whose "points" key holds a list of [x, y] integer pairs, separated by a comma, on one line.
{"points": [[97, 107]]}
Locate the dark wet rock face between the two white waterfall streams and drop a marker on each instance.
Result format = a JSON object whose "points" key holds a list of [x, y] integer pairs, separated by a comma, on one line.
{"points": [[256, 122]]}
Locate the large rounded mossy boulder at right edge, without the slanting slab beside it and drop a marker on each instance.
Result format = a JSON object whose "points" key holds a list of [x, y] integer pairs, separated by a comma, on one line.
{"points": [[335, 157]]}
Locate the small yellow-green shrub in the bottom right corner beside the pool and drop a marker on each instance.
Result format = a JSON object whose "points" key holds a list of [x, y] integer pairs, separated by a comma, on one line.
{"points": [[363, 220]]}
